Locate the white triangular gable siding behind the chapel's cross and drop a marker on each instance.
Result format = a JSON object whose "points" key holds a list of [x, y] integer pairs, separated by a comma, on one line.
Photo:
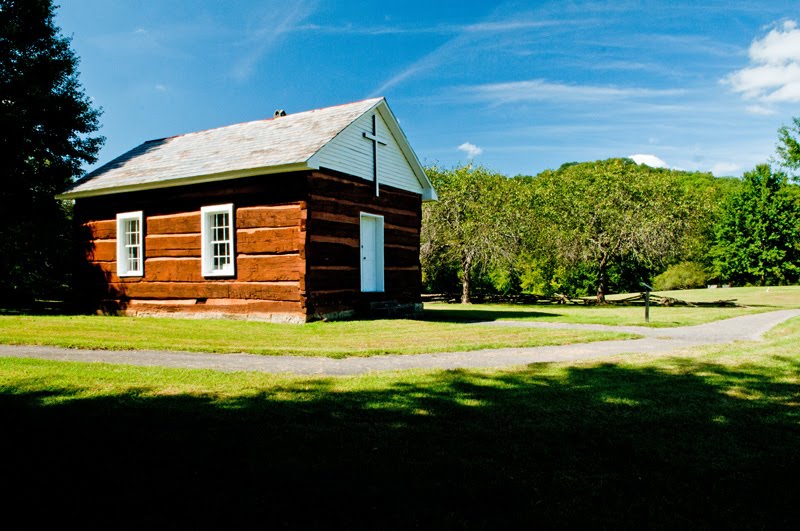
{"points": [[351, 153]]}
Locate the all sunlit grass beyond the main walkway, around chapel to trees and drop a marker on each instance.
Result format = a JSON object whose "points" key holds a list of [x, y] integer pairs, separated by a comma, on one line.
{"points": [[444, 327]]}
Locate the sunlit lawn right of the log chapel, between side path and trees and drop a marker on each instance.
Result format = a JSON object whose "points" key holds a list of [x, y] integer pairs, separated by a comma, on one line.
{"points": [[753, 300]]}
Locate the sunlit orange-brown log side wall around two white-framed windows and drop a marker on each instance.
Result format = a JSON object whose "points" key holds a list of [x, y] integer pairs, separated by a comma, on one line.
{"points": [[269, 241]]}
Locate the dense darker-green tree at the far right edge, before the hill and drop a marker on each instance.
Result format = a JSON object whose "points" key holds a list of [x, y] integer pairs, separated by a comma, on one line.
{"points": [[757, 238]]}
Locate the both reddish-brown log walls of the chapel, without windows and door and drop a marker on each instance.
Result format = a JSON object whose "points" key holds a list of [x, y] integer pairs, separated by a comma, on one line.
{"points": [[297, 248]]}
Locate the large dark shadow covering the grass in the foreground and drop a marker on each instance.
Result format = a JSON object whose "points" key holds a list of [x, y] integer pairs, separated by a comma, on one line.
{"points": [[601, 446]]}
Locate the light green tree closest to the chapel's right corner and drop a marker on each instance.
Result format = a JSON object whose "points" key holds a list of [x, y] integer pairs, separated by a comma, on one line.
{"points": [[477, 221]]}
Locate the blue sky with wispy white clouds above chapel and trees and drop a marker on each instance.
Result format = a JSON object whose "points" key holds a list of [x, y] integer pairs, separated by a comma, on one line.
{"points": [[517, 86]]}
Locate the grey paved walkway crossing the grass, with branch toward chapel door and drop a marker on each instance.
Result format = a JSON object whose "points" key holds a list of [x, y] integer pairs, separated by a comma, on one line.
{"points": [[656, 340]]}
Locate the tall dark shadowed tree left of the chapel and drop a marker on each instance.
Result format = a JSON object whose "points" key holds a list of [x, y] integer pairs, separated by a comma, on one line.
{"points": [[46, 122]]}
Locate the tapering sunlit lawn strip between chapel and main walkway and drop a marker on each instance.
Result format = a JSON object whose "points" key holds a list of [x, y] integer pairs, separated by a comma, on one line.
{"points": [[339, 339]]}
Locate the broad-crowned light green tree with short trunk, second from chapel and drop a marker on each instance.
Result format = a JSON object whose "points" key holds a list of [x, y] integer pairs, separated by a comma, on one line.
{"points": [[614, 212]]}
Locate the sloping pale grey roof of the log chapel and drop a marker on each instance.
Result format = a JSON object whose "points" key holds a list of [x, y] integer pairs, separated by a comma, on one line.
{"points": [[278, 144]]}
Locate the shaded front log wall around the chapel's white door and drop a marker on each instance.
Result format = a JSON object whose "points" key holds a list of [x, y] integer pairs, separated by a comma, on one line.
{"points": [[333, 277]]}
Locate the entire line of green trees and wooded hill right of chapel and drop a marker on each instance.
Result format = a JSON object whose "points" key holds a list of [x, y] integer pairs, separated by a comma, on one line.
{"points": [[593, 228]]}
